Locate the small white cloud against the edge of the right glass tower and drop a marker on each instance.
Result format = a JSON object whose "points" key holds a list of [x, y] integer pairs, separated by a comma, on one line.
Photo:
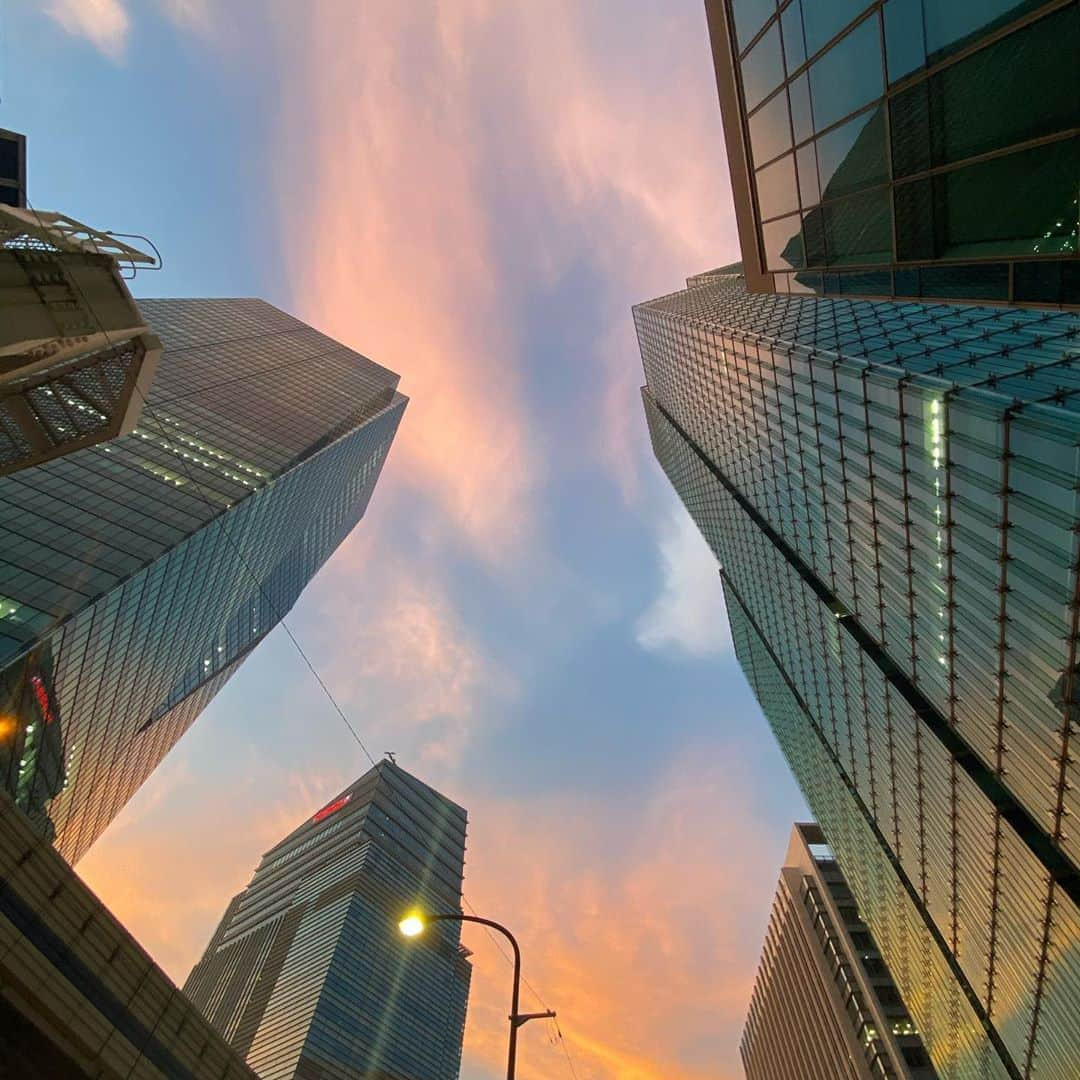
{"points": [[688, 615]]}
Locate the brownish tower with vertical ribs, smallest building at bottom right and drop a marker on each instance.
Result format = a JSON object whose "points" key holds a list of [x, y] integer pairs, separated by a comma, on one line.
{"points": [[825, 1006]]}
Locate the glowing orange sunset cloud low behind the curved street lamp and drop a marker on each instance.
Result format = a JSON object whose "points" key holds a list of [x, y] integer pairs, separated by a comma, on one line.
{"points": [[641, 920]]}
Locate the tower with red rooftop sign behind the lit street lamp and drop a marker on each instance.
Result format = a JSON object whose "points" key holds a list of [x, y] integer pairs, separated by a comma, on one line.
{"points": [[308, 977]]}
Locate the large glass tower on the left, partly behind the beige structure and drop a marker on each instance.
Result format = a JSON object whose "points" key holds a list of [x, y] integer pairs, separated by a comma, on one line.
{"points": [[138, 575]]}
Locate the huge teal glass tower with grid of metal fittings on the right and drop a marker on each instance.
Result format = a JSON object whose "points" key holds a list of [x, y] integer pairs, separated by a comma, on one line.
{"points": [[892, 492]]}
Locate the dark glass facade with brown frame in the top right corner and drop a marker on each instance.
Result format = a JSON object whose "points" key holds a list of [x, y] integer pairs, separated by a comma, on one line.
{"points": [[911, 148]]}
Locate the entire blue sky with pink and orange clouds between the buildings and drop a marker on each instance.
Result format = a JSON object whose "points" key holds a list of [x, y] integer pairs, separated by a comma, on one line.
{"points": [[472, 194]]}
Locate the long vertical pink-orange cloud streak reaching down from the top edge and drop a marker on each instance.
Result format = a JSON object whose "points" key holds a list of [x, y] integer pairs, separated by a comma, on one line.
{"points": [[394, 253]]}
